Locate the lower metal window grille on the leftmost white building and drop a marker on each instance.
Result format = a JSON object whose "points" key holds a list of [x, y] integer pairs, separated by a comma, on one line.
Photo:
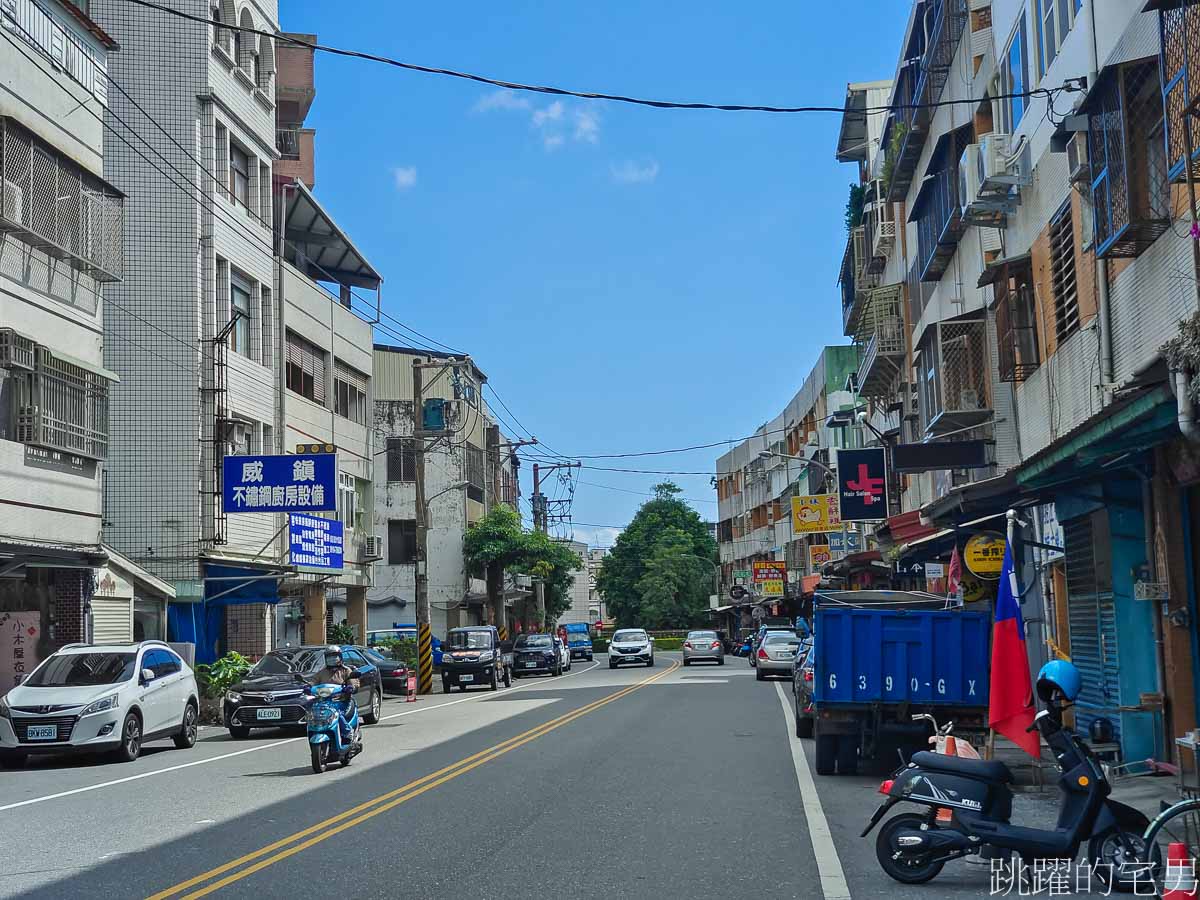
{"points": [[64, 407]]}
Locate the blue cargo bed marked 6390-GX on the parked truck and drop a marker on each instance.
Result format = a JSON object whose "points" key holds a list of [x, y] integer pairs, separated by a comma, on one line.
{"points": [[879, 656]]}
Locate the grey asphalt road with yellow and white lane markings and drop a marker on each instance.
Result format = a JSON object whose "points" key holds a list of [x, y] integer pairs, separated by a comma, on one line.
{"points": [[639, 783]]}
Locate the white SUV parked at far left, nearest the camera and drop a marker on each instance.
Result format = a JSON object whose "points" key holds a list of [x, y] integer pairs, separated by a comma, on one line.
{"points": [[100, 698]]}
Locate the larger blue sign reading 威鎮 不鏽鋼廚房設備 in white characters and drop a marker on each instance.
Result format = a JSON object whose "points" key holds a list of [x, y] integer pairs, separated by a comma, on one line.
{"points": [[302, 483]]}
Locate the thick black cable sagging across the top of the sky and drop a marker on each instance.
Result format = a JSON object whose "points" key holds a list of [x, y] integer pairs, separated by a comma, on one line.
{"points": [[1049, 93]]}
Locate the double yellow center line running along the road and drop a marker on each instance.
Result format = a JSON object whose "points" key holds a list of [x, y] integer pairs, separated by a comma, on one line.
{"points": [[247, 866]]}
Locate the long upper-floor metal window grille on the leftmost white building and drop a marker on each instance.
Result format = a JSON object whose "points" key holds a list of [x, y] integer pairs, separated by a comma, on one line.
{"points": [[51, 203]]}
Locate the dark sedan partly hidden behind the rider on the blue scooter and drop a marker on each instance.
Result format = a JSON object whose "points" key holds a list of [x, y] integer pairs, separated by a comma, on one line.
{"points": [[273, 693]]}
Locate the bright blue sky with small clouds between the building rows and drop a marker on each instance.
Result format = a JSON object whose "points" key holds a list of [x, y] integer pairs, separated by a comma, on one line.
{"points": [[629, 279]]}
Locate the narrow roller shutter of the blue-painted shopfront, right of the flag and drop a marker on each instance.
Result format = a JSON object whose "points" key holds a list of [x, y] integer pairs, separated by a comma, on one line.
{"points": [[1093, 620]]}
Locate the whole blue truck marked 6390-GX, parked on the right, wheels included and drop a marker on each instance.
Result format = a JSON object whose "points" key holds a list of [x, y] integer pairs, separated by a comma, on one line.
{"points": [[878, 658]]}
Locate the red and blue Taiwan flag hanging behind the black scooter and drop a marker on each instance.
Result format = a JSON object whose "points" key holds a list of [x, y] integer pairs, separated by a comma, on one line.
{"points": [[1011, 703]]}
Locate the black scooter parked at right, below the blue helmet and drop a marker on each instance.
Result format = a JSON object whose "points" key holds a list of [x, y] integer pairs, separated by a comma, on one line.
{"points": [[979, 803]]}
